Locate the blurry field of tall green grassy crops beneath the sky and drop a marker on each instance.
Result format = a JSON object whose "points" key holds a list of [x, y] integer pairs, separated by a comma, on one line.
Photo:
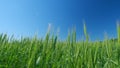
{"points": [[53, 53]]}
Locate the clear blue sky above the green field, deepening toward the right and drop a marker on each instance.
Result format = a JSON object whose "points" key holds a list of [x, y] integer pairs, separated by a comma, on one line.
{"points": [[25, 17]]}
